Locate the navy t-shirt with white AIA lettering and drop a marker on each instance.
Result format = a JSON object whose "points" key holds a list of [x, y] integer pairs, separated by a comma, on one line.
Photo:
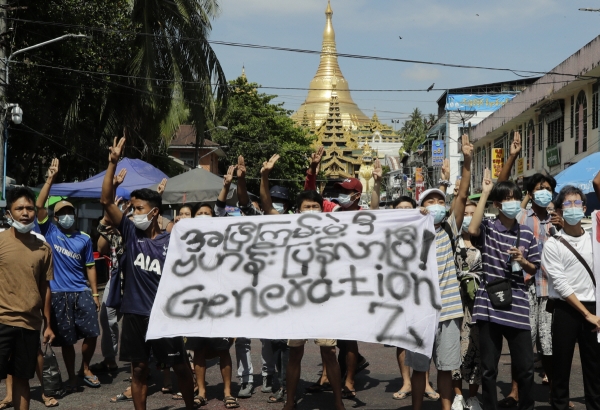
{"points": [[142, 266]]}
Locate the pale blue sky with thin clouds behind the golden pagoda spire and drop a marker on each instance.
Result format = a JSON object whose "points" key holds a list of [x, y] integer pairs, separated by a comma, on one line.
{"points": [[531, 35]]}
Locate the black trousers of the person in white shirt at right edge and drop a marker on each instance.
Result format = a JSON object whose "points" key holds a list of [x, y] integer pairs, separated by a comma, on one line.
{"points": [[569, 327]]}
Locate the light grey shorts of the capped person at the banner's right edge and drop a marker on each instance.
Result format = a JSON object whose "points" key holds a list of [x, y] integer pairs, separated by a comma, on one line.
{"points": [[446, 349]]}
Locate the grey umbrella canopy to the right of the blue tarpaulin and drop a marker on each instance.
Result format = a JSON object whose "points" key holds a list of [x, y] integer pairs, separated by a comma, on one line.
{"points": [[196, 185]]}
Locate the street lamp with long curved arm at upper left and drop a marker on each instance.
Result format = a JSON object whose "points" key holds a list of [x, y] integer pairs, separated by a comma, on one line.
{"points": [[17, 112]]}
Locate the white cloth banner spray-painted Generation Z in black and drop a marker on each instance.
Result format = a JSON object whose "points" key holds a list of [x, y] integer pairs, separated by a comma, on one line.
{"points": [[369, 276]]}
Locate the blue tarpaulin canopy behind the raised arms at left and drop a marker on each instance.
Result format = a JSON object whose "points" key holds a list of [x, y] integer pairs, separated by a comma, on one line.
{"points": [[140, 174]]}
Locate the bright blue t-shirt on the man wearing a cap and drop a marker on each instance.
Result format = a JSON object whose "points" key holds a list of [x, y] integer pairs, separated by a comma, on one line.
{"points": [[71, 254]]}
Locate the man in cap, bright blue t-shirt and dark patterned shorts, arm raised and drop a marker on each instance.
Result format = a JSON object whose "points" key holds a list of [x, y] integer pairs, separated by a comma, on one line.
{"points": [[75, 308]]}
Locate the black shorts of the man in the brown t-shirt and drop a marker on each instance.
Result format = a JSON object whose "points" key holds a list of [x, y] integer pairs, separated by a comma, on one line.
{"points": [[18, 351]]}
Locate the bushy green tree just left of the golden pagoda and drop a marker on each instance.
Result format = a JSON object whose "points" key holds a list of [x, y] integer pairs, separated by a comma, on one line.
{"points": [[257, 130]]}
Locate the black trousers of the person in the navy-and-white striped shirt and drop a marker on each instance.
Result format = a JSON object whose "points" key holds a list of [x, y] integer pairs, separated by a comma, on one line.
{"points": [[521, 355]]}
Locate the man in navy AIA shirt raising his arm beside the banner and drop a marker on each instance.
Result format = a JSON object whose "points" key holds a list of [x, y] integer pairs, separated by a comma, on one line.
{"points": [[142, 266]]}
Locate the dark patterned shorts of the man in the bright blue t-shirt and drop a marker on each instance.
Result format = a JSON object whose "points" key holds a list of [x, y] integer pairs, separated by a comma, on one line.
{"points": [[73, 317]]}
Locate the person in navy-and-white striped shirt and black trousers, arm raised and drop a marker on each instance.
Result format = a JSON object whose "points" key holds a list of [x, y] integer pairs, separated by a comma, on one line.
{"points": [[509, 251]]}
